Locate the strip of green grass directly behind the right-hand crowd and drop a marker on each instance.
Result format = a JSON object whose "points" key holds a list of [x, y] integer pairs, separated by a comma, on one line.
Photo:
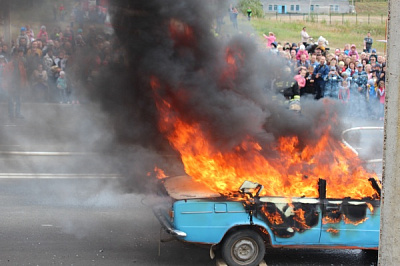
{"points": [[337, 34]]}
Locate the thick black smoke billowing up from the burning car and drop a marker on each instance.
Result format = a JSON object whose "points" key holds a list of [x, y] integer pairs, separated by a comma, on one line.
{"points": [[227, 108]]}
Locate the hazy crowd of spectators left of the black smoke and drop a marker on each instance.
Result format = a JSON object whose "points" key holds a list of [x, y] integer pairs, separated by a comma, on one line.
{"points": [[54, 66]]}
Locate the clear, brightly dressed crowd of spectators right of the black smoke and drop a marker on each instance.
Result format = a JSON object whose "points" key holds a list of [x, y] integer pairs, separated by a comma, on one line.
{"points": [[356, 78]]}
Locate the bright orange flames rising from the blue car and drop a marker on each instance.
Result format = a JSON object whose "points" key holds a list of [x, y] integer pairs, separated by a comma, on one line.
{"points": [[294, 173]]}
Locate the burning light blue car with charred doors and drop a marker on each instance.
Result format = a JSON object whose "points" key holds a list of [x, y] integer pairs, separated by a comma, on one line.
{"points": [[243, 225]]}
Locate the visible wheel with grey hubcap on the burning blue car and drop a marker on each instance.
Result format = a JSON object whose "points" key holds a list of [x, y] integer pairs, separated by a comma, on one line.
{"points": [[243, 248]]}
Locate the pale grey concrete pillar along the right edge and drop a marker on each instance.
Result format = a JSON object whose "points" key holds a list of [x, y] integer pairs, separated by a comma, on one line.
{"points": [[389, 248]]}
